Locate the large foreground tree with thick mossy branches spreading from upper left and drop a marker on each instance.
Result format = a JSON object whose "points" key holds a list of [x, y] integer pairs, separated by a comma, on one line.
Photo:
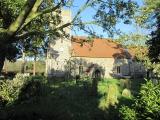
{"points": [[22, 20]]}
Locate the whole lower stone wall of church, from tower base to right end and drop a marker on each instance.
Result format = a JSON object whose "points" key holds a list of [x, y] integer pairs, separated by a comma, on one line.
{"points": [[107, 66]]}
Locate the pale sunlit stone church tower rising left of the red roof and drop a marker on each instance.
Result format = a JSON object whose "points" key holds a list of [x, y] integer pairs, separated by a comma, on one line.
{"points": [[59, 51]]}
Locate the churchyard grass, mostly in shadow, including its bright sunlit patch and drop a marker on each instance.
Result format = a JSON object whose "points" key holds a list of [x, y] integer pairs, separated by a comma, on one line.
{"points": [[65, 100]]}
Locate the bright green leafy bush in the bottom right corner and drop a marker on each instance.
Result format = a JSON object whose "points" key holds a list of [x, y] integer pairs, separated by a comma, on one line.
{"points": [[148, 102]]}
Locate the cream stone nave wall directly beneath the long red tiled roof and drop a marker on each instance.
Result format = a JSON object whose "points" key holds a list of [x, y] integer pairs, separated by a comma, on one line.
{"points": [[107, 66]]}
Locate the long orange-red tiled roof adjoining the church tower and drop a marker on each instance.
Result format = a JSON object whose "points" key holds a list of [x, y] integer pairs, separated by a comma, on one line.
{"points": [[97, 48]]}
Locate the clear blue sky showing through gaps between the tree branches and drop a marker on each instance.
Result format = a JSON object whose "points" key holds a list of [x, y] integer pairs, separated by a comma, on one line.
{"points": [[87, 16]]}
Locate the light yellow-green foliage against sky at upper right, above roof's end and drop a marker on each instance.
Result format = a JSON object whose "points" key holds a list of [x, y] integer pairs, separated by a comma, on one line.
{"points": [[145, 18]]}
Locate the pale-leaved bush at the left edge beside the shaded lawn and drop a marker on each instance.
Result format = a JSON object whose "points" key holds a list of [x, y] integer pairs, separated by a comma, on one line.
{"points": [[20, 89]]}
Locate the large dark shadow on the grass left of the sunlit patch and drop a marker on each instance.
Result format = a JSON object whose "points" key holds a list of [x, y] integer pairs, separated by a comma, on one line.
{"points": [[59, 101]]}
